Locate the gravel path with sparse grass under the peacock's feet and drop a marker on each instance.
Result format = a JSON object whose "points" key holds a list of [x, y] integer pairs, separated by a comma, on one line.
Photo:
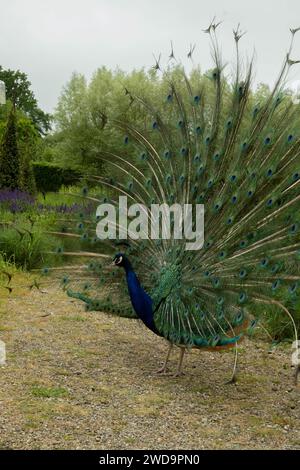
{"points": [[76, 380]]}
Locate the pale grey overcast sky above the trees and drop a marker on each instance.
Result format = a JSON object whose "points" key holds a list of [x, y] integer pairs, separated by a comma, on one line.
{"points": [[50, 39]]}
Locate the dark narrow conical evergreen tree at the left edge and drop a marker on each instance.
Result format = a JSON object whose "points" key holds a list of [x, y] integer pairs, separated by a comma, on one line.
{"points": [[9, 155]]}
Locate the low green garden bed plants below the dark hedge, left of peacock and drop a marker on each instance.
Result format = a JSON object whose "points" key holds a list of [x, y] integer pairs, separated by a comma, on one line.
{"points": [[25, 238]]}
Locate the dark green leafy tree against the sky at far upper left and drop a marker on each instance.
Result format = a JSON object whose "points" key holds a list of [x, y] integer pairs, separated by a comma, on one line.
{"points": [[18, 91]]}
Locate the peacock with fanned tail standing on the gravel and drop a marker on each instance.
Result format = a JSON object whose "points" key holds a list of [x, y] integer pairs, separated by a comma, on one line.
{"points": [[203, 142]]}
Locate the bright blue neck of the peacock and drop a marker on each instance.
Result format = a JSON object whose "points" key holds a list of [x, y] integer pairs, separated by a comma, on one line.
{"points": [[141, 301]]}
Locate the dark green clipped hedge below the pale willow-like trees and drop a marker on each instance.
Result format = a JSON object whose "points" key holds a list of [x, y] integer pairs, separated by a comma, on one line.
{"points": [[50, 177]]}
